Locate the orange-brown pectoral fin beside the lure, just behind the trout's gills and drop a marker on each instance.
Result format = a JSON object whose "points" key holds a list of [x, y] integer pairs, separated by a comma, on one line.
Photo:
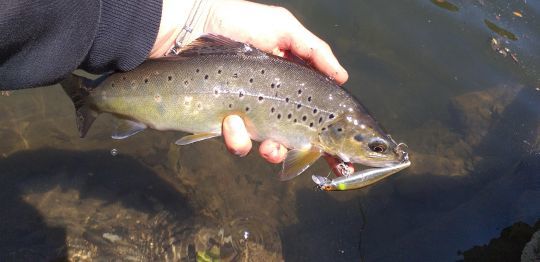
{"points": [[298, 161]]}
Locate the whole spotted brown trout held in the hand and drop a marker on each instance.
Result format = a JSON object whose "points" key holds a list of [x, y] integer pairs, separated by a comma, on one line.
{"points": [[280, 99]]}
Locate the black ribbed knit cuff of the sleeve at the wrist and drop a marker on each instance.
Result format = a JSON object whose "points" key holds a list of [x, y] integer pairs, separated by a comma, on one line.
{"points": [[126, 33]]}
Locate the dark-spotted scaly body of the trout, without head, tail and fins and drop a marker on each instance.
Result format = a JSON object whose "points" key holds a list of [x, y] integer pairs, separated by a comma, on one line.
{"points": [[197, 97]]}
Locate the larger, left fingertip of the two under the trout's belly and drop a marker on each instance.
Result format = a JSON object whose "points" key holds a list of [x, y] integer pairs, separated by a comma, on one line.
{"points": [[236, 136]]}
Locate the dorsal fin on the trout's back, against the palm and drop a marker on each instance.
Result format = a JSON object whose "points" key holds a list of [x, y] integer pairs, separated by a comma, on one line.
{"points": [[214, 45]]}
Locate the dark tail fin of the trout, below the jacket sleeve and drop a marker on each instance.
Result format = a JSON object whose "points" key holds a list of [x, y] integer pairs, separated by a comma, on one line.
{"points": [[78, 89]]}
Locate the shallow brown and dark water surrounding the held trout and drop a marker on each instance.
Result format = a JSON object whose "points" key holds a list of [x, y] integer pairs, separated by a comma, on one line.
{"points": [[429, 71]]}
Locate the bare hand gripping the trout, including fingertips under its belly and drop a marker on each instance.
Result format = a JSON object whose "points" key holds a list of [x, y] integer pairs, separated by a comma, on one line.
{"points": [[272, 29]]}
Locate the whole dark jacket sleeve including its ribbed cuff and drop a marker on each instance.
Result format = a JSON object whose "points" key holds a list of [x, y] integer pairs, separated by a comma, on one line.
{"points": [[42, 41]]}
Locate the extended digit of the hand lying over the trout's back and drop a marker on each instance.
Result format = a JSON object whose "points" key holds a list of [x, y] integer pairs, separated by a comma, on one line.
{"points": [[315, 51]]}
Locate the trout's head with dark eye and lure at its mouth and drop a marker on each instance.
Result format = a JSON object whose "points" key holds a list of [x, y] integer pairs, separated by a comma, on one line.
{"points": [[357, 138]]}
